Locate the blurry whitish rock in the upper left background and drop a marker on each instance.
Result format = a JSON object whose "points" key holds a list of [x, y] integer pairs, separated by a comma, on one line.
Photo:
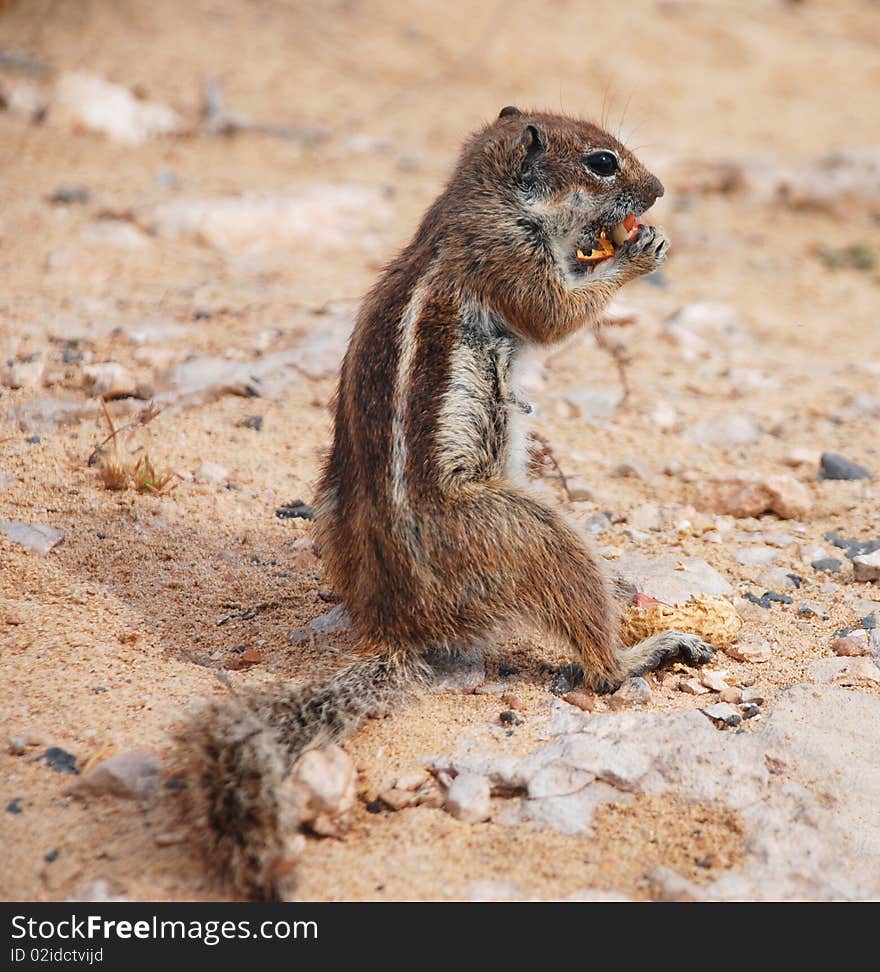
{"points": [[93, 103]]}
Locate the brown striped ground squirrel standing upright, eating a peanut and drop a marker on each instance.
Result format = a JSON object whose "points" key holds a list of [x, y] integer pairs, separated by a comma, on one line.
{"points": [[424, 520]]}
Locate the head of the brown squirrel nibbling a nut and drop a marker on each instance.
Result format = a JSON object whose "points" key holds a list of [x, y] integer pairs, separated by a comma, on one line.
{"points": [[575, 182]]}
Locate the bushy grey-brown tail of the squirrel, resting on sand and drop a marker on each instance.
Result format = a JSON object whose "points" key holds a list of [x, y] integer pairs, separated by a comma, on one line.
{"points": [[239, 750]]}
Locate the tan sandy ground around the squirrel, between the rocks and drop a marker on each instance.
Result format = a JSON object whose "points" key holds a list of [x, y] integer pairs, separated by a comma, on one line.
{"points": [[106, 640]]}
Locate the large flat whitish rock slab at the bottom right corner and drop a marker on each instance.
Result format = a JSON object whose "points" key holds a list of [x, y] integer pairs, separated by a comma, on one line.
{"points": [[798, 845]]}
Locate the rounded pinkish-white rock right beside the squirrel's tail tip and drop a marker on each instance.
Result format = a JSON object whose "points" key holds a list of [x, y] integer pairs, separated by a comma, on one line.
{"points": [[320, 790]]}
